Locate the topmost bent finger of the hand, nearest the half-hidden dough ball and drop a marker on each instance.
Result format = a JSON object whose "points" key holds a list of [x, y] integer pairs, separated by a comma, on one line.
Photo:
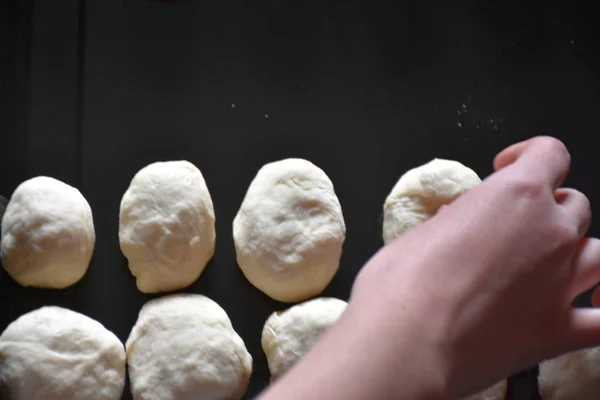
{"points": [[544, 156]]}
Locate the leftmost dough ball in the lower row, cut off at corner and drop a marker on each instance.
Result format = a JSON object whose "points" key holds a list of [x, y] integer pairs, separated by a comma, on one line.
{"points": [[57, 354]]}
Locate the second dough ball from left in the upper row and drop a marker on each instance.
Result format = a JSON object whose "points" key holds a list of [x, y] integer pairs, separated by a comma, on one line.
{"points": [[167, 226]]}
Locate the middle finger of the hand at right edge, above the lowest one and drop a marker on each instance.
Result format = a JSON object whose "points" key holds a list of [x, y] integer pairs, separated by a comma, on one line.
{"points": [[587, 266]]}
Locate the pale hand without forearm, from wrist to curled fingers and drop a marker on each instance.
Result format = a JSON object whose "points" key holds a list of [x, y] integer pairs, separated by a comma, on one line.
{"points": [[489, 281]]}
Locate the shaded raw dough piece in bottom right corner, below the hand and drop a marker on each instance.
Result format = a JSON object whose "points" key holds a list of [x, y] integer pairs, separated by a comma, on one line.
{"points": [[572, 376]]}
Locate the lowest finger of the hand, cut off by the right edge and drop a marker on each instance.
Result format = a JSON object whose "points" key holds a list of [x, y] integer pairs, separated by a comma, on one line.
{"points": [[584, 328]]}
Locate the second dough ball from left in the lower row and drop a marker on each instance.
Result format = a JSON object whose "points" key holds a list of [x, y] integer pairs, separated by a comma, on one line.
{"points": [[184, 347]]}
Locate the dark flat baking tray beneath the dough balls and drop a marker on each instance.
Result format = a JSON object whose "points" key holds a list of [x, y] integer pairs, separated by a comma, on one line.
{"points": [[91, 91]]}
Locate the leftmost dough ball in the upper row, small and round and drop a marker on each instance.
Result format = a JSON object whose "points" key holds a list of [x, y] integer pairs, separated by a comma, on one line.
{"points": [[47, 234]]}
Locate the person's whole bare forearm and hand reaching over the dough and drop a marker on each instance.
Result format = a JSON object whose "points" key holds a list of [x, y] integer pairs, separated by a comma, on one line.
{"points": [[477, 293]]}
